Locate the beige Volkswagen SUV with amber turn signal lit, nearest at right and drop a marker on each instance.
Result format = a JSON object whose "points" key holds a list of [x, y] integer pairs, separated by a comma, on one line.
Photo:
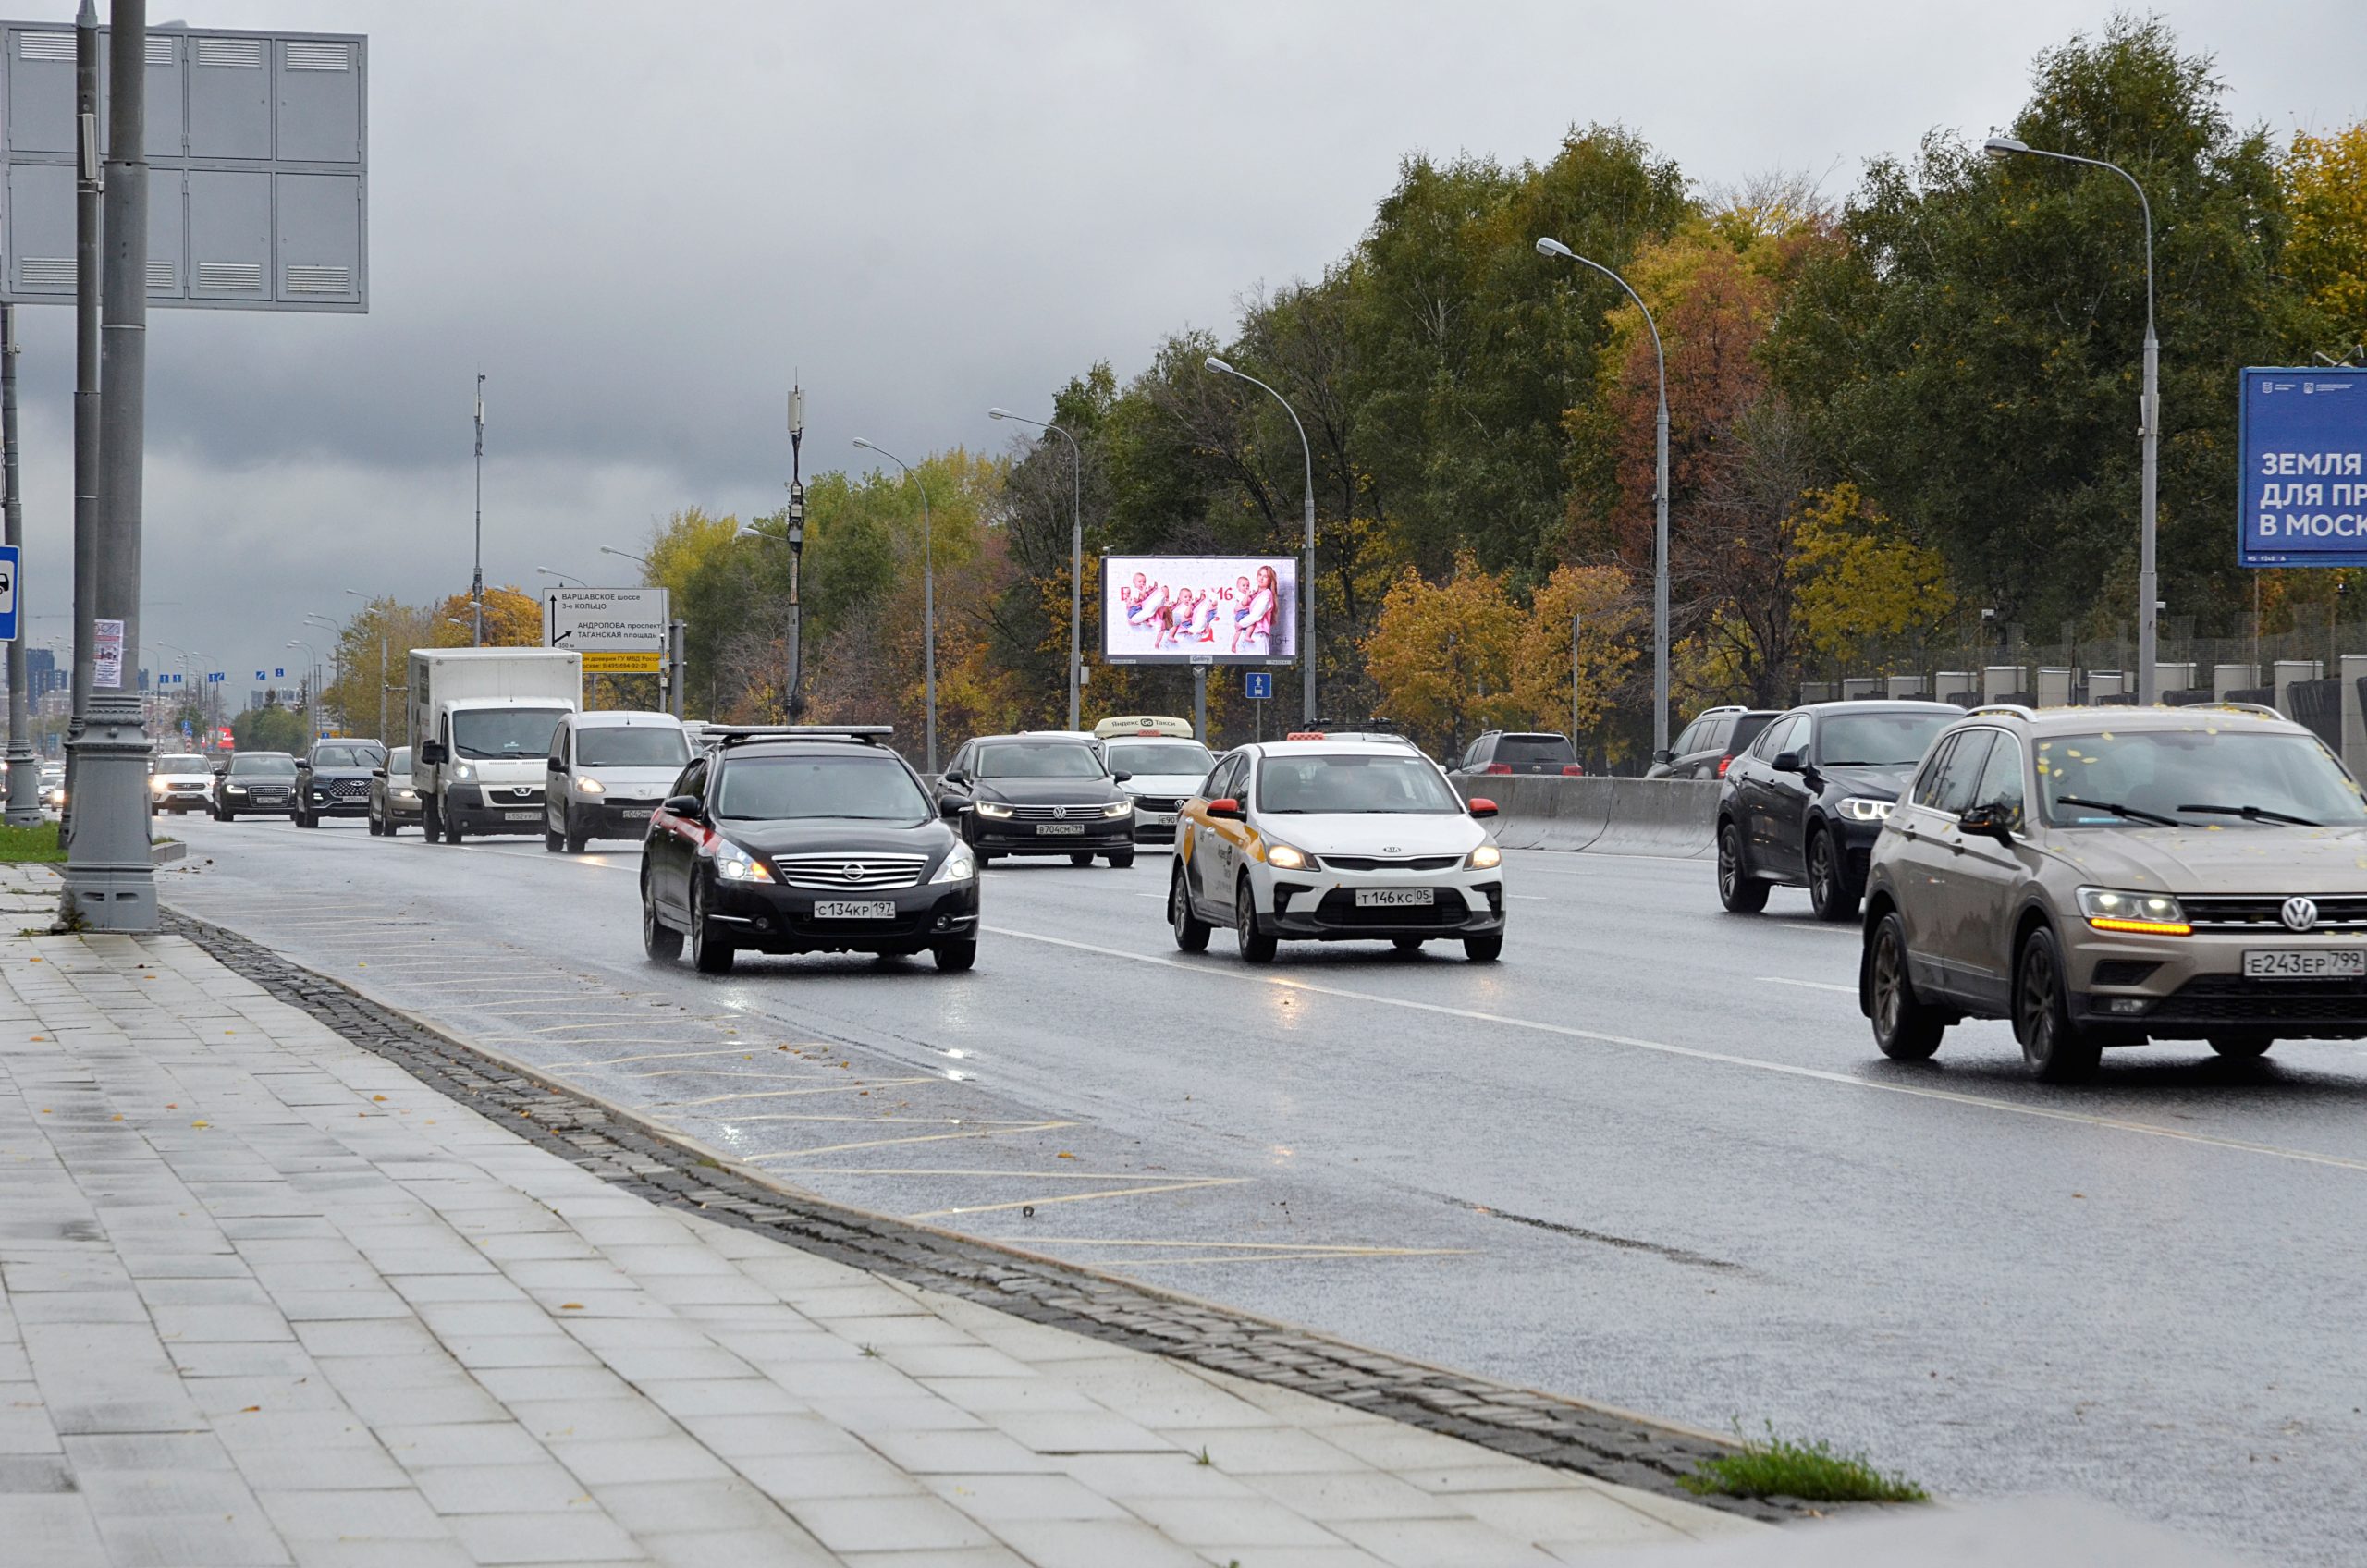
{"points": [[2120, 875]]}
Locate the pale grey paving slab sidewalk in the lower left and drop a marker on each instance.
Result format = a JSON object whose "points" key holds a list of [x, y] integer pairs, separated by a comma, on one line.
{"points": [[266, 1299]]}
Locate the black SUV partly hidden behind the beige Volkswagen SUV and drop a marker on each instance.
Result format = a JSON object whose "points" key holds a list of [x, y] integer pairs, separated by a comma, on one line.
{"points": [[1807, 802]]}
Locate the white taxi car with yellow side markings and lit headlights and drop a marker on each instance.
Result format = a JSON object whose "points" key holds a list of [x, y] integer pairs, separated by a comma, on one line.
{"points": [[1336, 842]]}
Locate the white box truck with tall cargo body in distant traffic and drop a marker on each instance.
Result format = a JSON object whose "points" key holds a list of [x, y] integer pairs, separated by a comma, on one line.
{"points": [[482, 735]]}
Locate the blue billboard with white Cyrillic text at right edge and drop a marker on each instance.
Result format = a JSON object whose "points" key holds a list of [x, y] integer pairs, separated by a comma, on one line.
{"points": [[2304, 458]]}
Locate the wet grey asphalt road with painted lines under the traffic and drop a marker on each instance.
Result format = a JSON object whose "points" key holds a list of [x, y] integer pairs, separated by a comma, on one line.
{"points": [[1649, 1159]]}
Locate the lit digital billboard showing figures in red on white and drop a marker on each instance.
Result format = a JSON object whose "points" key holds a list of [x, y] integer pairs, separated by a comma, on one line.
{"points": [[1199, 608]]}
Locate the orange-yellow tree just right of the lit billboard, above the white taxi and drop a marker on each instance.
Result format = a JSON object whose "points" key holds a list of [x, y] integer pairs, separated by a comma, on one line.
{"points": [[1443, 653]]}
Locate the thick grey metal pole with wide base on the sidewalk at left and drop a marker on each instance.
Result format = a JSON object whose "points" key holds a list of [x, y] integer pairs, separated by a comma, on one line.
{"points": [[110, 875]]}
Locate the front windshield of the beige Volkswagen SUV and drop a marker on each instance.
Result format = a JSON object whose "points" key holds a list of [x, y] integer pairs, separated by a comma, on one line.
{"points": [[2200, 776]]}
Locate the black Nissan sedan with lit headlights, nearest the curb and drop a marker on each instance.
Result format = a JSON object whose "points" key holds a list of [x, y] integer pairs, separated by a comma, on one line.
{"points": [[804, 840]]}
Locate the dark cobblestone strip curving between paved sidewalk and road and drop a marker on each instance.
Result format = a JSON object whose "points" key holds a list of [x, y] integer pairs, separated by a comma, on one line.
{"points": [[1502, 1418]]}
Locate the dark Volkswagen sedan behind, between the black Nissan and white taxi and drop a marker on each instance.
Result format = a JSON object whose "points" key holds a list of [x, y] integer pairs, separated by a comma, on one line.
{"points": [[1031, 795]]}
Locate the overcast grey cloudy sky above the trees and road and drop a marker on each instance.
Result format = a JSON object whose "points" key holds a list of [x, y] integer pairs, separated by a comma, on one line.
{"points": [[643, 219]]}
